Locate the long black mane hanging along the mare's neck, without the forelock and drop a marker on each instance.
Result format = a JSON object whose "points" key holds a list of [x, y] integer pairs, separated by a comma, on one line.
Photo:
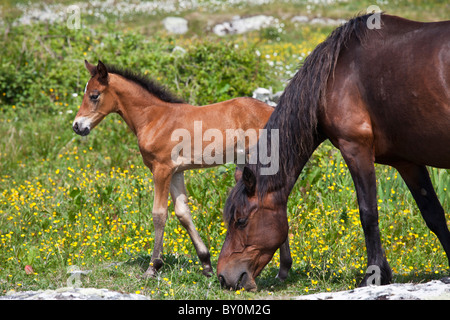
{"points": [[297, 112]]}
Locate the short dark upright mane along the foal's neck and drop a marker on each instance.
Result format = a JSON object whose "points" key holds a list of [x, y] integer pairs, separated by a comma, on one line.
{"points": [[145, 82]]}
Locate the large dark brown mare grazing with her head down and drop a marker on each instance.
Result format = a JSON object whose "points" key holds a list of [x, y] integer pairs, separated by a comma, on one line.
{"points": [[379, 95]]}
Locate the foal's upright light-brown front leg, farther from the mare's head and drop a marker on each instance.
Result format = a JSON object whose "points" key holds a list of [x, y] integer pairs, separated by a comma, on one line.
{"points": [[161, 178]]}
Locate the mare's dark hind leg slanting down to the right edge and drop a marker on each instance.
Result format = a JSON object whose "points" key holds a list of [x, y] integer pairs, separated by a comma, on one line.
{"points": [[418, 181]]}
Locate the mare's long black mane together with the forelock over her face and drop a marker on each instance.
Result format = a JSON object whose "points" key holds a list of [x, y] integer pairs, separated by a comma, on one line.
{"points": [[296, 116]]}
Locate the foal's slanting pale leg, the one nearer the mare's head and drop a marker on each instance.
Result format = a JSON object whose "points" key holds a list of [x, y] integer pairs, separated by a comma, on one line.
{"points": [[183, 212]]}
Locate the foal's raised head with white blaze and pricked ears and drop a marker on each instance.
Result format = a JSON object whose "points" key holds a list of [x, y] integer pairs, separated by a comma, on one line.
{"points": [[97, 103]]}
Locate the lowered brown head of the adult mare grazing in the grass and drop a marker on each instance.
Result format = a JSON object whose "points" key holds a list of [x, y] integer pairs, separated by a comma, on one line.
{"points": [[257, 227]]}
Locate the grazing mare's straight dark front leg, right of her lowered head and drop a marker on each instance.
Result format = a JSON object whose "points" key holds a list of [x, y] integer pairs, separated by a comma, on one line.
{"points": [[360, 161]]}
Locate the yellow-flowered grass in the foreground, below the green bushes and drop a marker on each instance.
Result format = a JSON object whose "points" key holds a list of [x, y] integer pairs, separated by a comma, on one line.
{"points": [[78, 208]]}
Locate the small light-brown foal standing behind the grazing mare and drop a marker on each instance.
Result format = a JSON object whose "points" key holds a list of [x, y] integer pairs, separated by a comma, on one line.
{"points": [[153, 114]]}
